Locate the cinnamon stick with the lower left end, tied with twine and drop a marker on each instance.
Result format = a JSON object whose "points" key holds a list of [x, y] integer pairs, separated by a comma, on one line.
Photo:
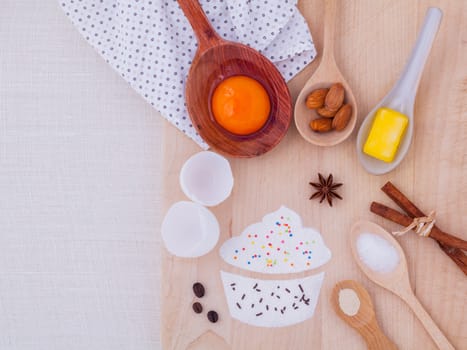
{"points": [[404, 220]]}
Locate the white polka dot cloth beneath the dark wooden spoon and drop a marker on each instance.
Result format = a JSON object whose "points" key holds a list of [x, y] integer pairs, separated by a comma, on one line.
{"points": [[151, 44]]}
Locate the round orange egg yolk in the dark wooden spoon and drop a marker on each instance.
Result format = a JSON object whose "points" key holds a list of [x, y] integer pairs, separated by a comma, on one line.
{"points": [[240, 105]]}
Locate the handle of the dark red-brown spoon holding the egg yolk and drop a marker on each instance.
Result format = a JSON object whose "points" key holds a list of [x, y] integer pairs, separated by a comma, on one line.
{"points": [[204, 32]]}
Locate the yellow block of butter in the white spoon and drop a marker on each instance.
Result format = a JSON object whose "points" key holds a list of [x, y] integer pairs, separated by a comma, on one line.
{"points": [[385, 134]]}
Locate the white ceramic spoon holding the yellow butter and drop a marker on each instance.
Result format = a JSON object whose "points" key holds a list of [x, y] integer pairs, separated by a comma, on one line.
{"points": [[402, 96]]}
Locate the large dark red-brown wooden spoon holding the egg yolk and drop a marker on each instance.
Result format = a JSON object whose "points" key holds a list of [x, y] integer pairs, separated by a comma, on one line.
{"points": [[218, 59]]}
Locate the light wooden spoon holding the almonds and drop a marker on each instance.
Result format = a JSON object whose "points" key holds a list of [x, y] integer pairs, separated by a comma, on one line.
{"points": [[325, 75]]}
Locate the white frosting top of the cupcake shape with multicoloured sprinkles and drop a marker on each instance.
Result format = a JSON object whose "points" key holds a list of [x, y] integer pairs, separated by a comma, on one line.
{"points": [[278, 244]]}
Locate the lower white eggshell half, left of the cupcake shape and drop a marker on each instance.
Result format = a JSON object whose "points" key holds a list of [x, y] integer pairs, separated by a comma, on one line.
{"points": [[189, 230]]}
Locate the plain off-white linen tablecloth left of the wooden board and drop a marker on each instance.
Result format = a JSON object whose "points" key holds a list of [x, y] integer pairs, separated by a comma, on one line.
{"points": [[79, 192]]}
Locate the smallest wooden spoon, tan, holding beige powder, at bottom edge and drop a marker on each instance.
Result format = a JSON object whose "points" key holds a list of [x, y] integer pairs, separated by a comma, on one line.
{"points": [[364, 321]]}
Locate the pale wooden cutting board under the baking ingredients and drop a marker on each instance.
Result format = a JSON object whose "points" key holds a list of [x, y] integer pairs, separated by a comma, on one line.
{"points": [[374, 41]]}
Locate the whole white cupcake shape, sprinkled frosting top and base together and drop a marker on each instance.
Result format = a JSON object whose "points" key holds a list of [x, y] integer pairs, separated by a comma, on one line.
{"points": [[279, 244]]}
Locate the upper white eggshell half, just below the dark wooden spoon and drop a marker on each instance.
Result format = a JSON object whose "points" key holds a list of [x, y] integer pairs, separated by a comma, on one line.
{"points": [[206, 178]]}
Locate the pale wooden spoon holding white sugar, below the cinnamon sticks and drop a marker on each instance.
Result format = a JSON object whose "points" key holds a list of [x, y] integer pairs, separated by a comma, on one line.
{"points": [[396, 281]]}
